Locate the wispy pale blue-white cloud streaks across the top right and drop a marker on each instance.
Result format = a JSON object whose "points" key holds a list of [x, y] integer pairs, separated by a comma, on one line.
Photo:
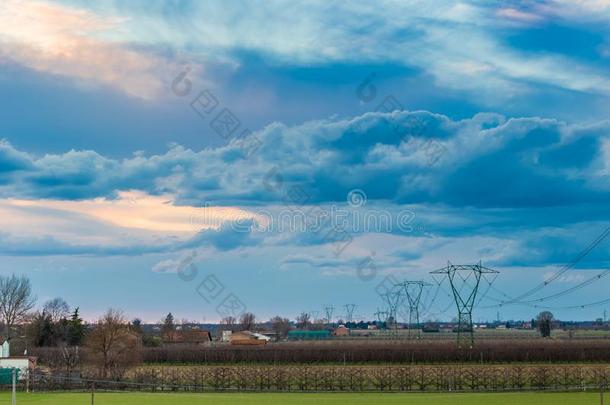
{"points": [[437, 39]]}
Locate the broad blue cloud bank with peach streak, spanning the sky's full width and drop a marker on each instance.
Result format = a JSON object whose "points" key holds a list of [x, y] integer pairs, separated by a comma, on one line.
{"points": [[485, 175]]}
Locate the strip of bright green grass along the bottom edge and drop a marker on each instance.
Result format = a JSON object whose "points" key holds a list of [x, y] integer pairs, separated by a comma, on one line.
{"points": [[310, 399]]}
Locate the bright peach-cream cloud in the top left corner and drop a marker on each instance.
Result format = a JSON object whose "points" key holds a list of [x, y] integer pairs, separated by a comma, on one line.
{"points": [[68, 41]]}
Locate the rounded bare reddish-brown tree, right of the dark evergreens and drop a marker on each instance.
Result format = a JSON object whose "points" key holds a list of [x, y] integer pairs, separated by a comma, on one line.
{"points": [[113, 345]]}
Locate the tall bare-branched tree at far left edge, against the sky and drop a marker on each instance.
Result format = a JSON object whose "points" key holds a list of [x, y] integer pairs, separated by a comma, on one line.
{"points": [[16, 300]]}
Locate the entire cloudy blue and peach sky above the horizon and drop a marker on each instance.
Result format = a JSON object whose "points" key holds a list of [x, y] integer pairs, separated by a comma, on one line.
{"points": [[207, 158]]}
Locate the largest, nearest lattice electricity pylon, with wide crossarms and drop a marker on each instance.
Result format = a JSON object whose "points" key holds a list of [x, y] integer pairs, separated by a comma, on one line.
{"points": [[465, 280]]}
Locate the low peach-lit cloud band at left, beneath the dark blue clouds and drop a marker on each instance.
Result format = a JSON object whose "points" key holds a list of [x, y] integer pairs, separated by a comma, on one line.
{"points": [[132, 224]]}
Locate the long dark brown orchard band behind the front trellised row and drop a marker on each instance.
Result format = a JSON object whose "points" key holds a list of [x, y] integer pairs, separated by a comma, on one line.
{"points": [[411, 352]]}
